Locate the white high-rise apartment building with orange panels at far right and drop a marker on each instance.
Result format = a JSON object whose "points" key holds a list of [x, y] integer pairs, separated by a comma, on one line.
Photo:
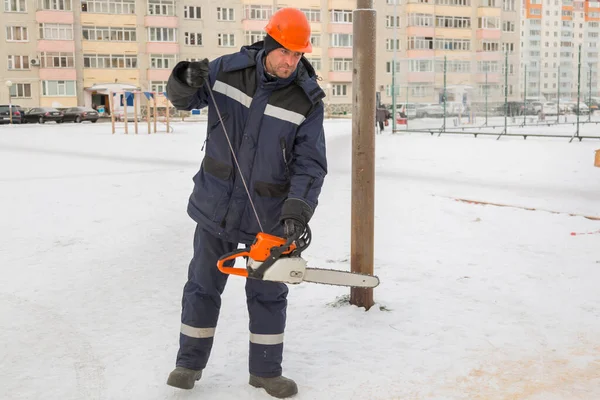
{"points": [[553, 31]]}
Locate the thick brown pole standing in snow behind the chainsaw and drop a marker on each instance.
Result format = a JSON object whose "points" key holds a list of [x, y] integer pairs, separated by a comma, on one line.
{"points": [[363, 148]]}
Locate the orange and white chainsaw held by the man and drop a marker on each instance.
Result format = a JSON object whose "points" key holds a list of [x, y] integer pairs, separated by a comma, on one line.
{"points": [[271, 258]]}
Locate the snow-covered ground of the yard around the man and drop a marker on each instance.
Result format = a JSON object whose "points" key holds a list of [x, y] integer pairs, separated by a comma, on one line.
{"points": [[475, 302]]}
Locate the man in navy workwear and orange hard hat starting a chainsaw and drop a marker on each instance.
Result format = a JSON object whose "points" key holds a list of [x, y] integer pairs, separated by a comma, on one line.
{"points": [[270, 106]]}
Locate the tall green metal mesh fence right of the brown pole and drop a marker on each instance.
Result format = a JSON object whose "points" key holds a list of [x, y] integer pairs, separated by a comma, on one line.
{"points": [[493, 93]]}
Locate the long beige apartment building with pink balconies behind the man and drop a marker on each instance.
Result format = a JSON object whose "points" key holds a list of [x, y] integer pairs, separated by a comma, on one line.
{"points": [[65, 53]]}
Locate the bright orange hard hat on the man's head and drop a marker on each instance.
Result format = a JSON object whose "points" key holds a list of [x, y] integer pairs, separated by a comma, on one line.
{"points": [[291, 29]]}
